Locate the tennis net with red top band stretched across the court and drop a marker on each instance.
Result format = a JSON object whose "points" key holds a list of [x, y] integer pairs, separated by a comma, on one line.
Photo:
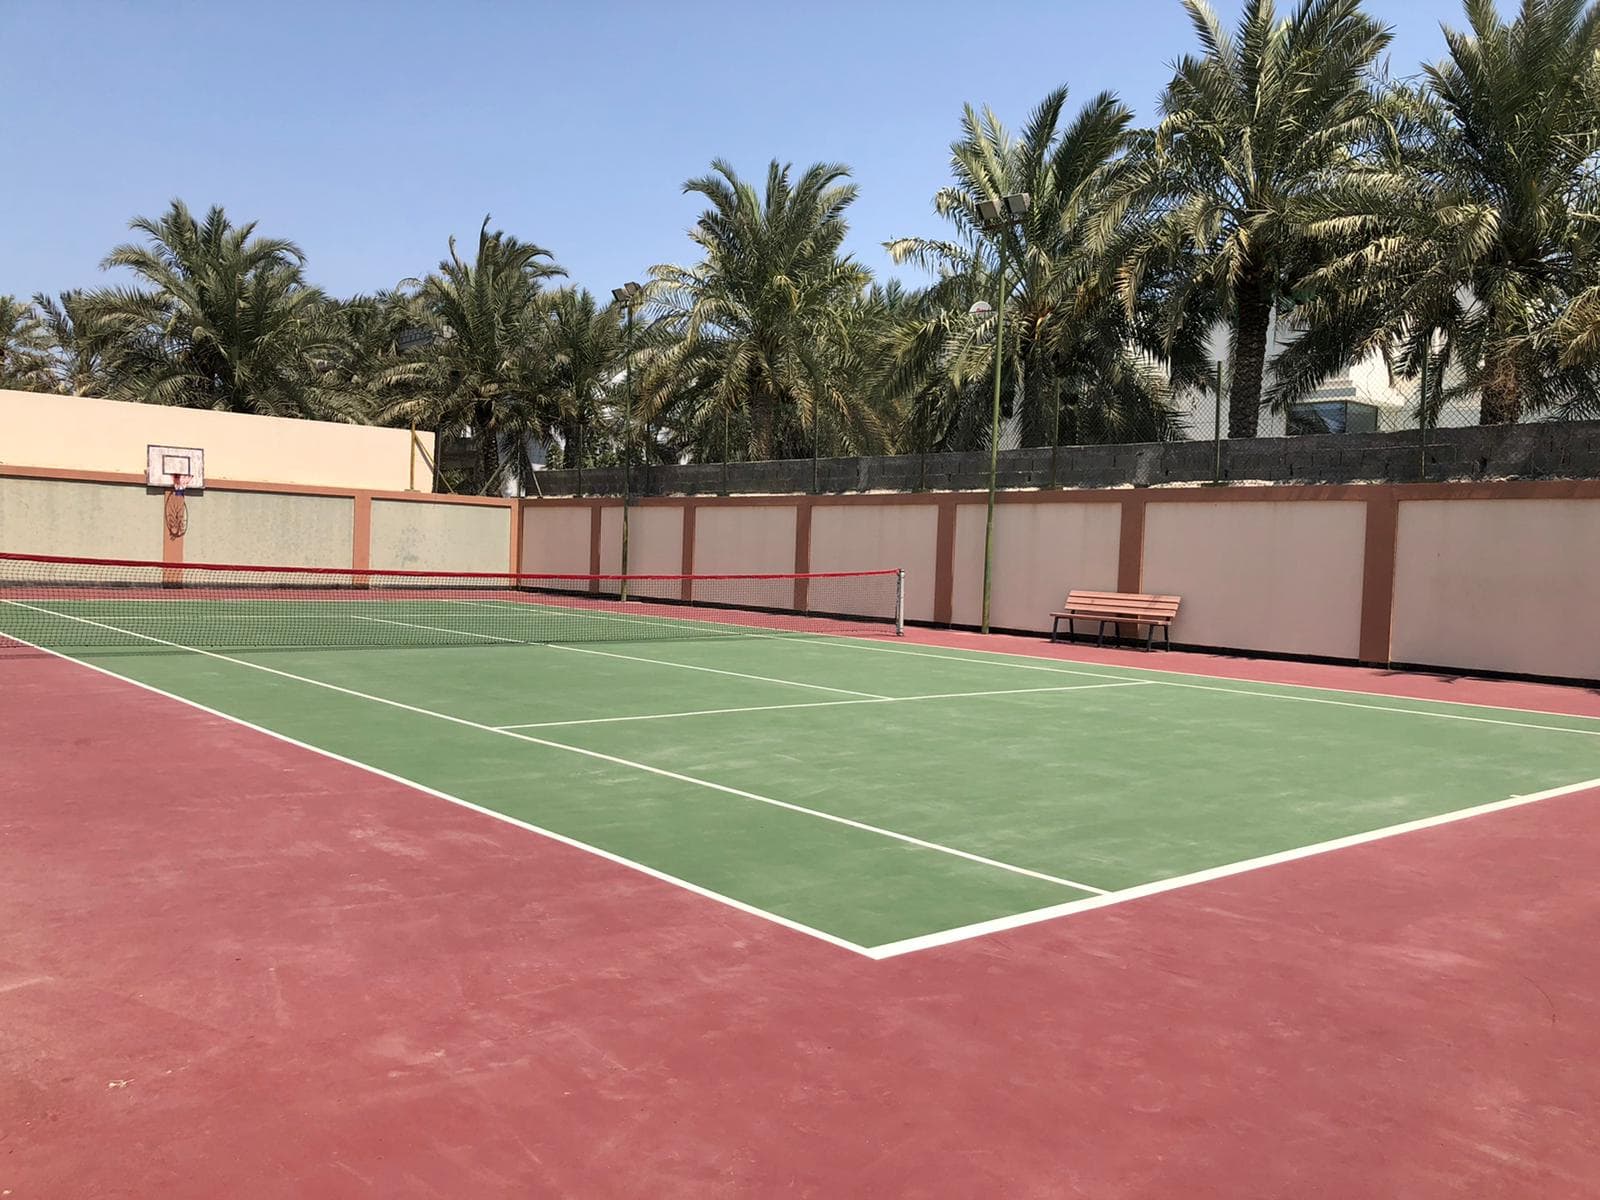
{"points": [[100, 604]]}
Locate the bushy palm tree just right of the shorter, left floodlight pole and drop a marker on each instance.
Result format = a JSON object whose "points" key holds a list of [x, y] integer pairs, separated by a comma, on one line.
{"points": [[754, 329]]}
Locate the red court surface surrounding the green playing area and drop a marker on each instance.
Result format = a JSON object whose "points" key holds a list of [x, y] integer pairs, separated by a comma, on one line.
{"points": [[292, 978]]}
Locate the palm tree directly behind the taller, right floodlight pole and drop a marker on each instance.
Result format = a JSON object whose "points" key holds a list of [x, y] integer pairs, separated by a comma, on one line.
{"points": [[1086, 367]]}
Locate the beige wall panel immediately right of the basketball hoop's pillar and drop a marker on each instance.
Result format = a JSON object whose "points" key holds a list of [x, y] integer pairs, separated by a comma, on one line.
{"points": [[270, 529]]}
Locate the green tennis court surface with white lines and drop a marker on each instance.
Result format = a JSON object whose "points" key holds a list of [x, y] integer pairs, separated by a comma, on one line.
{"points": [[870, 791]]}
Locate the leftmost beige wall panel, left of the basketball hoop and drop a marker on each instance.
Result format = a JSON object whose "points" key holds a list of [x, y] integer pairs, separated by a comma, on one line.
{"points": [[94, 521]]}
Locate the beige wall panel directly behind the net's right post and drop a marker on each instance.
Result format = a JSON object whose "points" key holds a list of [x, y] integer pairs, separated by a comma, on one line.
{"points": [[873, 537]]}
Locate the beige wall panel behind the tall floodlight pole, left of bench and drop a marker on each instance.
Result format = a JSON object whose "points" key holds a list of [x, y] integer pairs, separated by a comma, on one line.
{"points": [[1041, 553]]}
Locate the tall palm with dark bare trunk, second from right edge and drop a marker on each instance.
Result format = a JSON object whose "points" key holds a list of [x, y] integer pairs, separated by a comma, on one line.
{"points": [[1255, 134]]}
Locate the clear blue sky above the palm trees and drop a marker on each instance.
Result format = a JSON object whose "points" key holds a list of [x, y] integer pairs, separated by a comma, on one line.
{"points": [[372, 132]]}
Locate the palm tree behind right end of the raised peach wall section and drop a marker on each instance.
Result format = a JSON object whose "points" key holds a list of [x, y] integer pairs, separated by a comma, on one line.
{"points": [[487, 372]]}
